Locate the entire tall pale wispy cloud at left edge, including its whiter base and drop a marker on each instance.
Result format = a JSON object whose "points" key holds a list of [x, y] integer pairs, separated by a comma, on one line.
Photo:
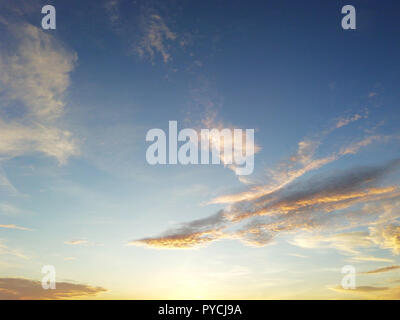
{"points": [[35, 75]]}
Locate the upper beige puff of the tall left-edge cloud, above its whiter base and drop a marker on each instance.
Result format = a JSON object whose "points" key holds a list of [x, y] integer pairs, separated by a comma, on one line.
{"points": [[35, 71]]}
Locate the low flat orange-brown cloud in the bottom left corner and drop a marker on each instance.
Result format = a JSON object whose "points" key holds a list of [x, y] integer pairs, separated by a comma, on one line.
{"points": [[26, 289]]}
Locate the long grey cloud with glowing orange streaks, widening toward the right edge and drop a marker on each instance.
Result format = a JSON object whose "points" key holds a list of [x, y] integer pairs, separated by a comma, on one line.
{"points": [[302, 206]]}
